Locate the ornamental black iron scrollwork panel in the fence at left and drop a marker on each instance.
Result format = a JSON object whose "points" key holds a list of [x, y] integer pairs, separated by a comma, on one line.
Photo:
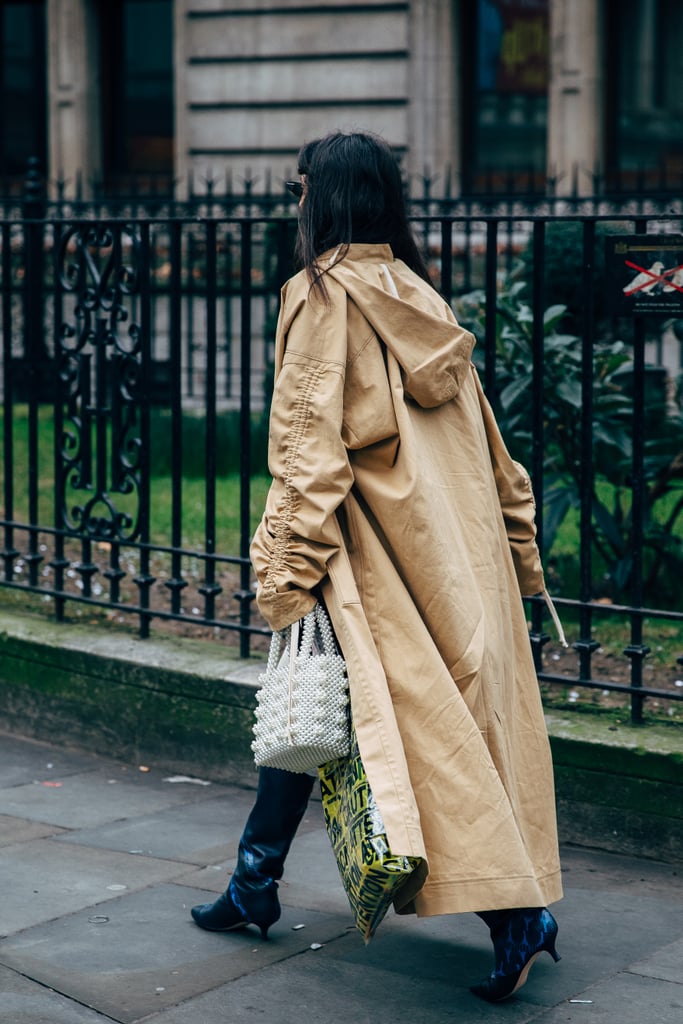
{"points": [[102, 355]]}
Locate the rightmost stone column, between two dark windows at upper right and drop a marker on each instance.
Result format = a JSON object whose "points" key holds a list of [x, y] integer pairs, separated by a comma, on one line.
{"points": [[576, 135]]}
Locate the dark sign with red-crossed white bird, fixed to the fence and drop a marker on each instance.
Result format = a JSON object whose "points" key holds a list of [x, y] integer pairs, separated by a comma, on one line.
{"points": [[645, 275]]}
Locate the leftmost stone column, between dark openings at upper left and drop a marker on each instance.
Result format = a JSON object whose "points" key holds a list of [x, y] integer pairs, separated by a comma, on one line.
{"points": [[74, 118]]}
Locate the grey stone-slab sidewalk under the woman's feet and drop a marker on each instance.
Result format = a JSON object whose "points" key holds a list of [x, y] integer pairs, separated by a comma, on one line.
{"points": [[101, 863]]}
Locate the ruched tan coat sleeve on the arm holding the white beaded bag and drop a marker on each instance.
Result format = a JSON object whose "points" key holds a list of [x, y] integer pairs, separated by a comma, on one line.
{"points": [[309, 461]]}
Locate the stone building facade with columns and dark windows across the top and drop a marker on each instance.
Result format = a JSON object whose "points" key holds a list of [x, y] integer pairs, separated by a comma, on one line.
{"points": [[483, 96]]}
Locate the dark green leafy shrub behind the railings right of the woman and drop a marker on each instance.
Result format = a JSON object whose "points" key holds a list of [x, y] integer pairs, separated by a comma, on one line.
{"points": [[612, 432]]}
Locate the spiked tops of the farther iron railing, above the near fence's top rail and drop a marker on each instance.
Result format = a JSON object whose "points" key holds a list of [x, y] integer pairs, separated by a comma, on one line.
{"points": [[510, 193]]}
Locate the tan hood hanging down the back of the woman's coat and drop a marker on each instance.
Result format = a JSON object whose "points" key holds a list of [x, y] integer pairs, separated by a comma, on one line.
{"points": [[413, 321]]}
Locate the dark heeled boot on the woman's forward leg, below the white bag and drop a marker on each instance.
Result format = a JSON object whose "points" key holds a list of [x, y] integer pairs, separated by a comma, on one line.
{"points": [[252, 895]]}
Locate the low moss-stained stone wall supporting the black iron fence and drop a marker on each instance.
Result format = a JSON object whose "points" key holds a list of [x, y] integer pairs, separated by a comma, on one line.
{"points": [[188, 706]]}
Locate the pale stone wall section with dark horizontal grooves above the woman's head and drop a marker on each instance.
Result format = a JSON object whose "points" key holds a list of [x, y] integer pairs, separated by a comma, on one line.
{"points": [[254, 82]]}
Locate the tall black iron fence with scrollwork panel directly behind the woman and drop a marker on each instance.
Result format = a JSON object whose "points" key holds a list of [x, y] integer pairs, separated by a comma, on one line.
{"points": [[137, 359]]}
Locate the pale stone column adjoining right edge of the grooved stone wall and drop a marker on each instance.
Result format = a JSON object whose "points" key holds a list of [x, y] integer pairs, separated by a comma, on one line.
{"points": [[435, 114]]}
